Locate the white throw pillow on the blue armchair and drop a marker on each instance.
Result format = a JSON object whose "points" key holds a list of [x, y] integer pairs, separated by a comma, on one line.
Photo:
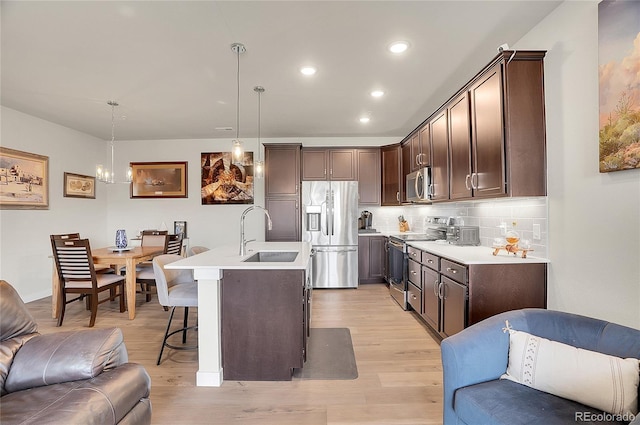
{"points": [[594, 379]]}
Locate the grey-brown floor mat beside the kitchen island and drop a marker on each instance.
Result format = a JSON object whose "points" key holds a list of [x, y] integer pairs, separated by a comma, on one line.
{"points": [[329, 356]]}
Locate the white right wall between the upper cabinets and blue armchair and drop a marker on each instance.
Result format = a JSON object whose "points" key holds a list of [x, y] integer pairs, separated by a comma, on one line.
{"points": [[594, 219]]}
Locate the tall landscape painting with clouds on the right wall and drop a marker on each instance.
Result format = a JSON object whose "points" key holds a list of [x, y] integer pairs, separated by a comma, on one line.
{"points": [[619, 81]]}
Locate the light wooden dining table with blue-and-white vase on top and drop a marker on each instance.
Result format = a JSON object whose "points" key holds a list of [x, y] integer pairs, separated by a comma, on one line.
{"points": [[106, 256]]}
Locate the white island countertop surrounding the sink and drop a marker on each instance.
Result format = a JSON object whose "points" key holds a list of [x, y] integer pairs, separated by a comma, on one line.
{"points": [[226, 257]]}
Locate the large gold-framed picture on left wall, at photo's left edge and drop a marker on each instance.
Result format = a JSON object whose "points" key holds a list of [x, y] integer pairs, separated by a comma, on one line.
{"points": [[24, 180]]}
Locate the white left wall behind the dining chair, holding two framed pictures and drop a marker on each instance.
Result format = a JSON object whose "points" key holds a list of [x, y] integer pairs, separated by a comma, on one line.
{"points": [[25, 246]]}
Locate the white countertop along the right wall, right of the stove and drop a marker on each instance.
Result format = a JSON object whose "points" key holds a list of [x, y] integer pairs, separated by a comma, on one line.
{"points": [[475, 254]]}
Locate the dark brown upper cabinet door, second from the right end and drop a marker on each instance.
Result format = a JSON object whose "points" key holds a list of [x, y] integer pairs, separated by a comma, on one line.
{"points": [[460, 147]]}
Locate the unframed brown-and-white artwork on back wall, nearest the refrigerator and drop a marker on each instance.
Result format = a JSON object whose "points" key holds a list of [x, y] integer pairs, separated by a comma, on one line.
{"points": [[224, 181]]}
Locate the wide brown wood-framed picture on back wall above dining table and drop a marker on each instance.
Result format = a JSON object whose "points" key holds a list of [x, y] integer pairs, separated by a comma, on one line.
{"points": [[158, 179]]}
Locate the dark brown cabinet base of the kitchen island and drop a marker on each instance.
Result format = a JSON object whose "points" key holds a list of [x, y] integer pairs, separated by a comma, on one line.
{"points": [[264, 321]]}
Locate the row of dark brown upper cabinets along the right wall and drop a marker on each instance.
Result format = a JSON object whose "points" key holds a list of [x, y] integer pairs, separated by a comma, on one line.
{"points": [[489, 139]]}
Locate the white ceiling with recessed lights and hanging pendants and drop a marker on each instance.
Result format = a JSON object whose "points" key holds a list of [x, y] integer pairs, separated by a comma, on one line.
{"points": [[170, 66]]}
